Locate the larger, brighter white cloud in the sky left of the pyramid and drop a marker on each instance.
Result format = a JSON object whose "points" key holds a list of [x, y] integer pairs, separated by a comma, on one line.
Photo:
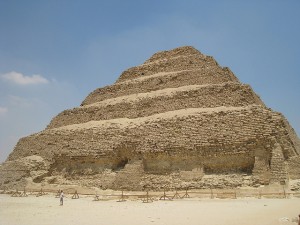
{"points": [[22, 79]]}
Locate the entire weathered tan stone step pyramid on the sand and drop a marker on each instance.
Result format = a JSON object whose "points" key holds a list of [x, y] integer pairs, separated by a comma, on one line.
{"points": [[177, 120]]}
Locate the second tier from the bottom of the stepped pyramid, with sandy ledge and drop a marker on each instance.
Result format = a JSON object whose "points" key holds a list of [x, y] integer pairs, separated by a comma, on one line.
{"points": [[170, 99]]}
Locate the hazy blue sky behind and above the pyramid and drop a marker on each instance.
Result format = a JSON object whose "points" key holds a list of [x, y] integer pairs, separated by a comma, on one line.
{"points": [[54, 53]]}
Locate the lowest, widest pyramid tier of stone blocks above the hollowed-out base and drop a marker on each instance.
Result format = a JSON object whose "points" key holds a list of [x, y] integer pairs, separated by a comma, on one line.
{"points": [[209, 132]]}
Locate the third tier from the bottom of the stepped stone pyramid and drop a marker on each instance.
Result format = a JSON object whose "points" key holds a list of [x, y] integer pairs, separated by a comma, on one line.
{"points": [[160, 81]]}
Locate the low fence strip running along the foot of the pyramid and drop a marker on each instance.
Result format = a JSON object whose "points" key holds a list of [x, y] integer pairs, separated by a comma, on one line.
{"points": [[146, 197]]}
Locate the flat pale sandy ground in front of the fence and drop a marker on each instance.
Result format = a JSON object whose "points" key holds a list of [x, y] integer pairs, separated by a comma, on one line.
{"points": [[42, 210]]}
